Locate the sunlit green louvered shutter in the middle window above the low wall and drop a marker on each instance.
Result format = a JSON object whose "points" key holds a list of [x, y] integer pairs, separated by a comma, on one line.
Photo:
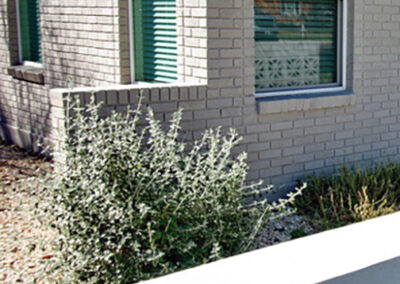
{"points": [[155, 40]]}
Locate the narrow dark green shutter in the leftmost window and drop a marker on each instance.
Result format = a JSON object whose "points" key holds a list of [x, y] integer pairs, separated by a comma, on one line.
{"points": [[29, 30]]}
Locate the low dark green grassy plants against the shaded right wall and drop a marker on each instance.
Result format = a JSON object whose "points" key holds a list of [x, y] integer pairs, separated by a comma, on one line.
{"points": [[351, 195]]}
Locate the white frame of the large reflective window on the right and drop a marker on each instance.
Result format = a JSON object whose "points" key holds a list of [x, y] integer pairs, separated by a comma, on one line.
{"points": [[342, 52]]}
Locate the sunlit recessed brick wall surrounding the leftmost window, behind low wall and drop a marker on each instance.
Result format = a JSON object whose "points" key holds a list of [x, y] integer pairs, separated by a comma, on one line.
{"points": [[81, 44]]}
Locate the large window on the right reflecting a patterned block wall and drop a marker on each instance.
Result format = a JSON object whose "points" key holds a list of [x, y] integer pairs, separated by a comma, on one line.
{"points": [[299, 46]]}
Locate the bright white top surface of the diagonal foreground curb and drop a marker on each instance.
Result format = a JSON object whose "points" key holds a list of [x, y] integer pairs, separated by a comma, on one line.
{"points": [[307, 260]]}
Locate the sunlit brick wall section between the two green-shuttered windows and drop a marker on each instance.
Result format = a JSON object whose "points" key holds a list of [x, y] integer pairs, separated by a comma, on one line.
{"points": [[81, 42]]}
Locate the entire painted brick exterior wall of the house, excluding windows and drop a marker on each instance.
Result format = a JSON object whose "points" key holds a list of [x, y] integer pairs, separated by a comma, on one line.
{"points": [[285, 138]]}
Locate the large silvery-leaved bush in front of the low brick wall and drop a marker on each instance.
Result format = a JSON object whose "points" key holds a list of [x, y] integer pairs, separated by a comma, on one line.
{"points": [[132, 204]]}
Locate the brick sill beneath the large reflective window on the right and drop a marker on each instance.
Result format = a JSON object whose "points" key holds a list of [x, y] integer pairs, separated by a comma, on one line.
{"points": [[282, 104]]}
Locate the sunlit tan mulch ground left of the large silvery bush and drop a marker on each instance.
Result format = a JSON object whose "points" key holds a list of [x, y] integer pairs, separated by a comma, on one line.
{"points": [[26, 246]]}
